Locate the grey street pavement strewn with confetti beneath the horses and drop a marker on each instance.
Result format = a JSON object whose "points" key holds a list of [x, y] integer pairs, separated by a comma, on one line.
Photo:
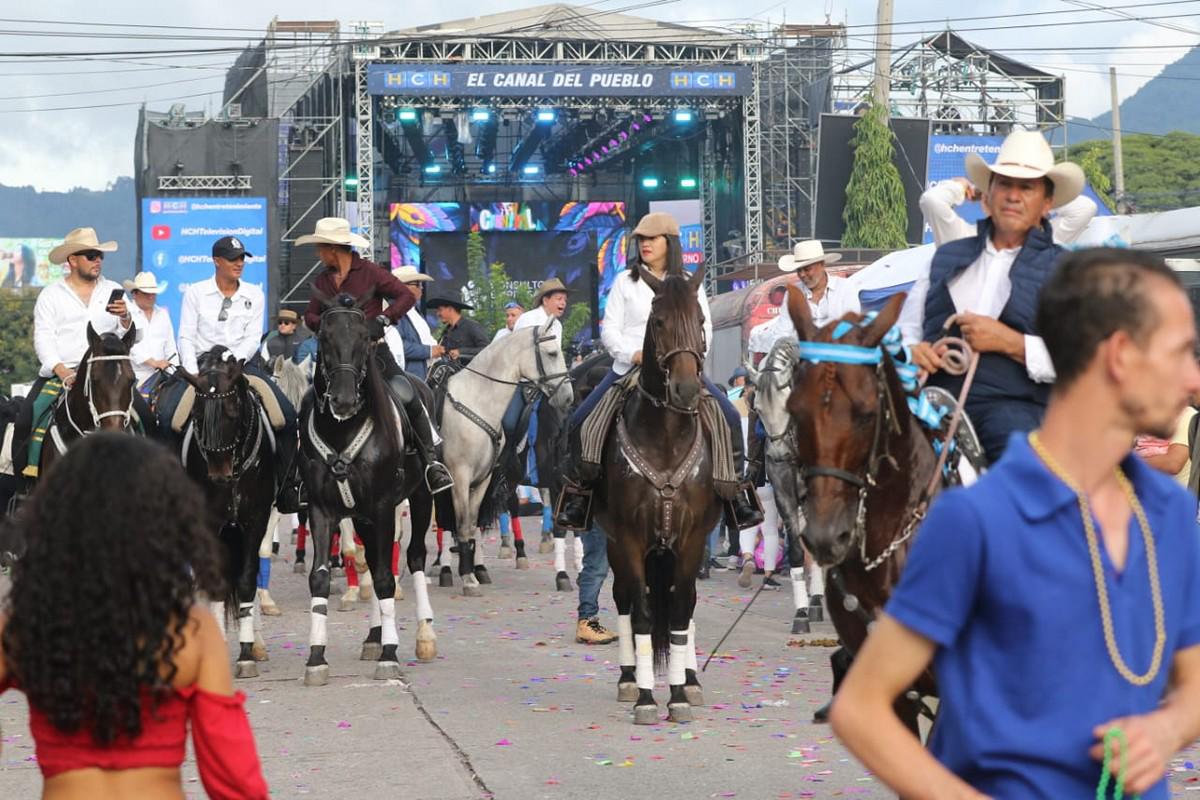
{"points": [[514, 708]]}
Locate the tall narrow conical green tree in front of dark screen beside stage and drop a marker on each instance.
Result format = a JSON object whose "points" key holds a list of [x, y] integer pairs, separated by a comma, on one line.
{"points": [[875, 213]]}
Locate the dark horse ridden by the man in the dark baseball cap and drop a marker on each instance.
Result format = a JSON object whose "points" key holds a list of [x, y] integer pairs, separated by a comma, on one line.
{"points": [[227, 449]]}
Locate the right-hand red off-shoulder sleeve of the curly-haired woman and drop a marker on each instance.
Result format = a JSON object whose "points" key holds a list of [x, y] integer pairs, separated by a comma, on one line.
{"points": [[225, 748]]}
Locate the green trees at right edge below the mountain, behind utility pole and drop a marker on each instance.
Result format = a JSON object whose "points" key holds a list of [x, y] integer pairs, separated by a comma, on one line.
{"points": [[1162, 172]]}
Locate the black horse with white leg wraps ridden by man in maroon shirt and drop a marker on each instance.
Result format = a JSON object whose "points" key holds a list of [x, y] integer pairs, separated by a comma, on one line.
{"points": [[356, 468]]}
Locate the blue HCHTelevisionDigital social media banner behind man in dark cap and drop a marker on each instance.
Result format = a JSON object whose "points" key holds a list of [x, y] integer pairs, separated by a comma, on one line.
{"points": [[178, 236]]}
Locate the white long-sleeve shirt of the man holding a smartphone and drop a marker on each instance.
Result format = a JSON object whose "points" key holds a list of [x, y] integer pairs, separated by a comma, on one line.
{"points": [[61, 323]]}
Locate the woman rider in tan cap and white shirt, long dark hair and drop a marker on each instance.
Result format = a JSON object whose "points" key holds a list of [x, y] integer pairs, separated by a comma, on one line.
{"points": [[623, 332]]}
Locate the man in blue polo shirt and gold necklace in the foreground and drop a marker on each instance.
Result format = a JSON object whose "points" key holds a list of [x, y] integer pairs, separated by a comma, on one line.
{"points": [[1103, 628]]}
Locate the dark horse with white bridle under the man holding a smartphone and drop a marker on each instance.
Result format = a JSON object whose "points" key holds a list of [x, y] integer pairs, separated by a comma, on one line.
{"points": [[101, 399]]}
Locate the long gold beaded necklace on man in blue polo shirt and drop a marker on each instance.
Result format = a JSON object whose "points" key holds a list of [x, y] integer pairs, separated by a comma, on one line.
{"points": [[1102, 591]]}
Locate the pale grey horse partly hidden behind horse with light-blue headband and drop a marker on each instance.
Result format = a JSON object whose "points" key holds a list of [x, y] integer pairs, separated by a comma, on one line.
{"points": [[773, 384]]}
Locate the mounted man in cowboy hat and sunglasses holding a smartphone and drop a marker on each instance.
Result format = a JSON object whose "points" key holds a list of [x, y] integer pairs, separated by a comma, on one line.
{"points": [[61, 330]]}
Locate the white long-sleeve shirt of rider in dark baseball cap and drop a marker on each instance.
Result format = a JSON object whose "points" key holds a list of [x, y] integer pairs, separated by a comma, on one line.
{"points": [[201, 327]]}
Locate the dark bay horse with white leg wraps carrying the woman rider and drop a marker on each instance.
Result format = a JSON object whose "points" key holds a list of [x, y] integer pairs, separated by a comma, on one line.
{"points": [[657, 504]]}
